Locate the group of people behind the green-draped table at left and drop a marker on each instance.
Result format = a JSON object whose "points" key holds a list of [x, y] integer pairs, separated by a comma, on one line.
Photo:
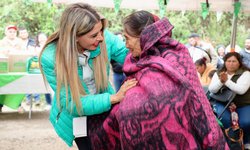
{"points": [[17, 39]]}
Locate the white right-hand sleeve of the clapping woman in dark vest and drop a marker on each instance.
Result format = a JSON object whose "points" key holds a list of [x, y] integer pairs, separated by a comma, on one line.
{"points": [[242, 84]]}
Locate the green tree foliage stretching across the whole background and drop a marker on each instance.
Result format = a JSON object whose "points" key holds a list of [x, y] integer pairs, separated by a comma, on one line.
{"points": [[41, 17]]}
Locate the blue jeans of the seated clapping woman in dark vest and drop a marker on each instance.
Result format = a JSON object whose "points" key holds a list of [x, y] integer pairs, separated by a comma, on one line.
{"points": [[244, 121]]}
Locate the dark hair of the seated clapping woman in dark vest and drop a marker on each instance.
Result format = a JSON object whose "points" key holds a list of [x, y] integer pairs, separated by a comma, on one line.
{"points": [[237, 56]]}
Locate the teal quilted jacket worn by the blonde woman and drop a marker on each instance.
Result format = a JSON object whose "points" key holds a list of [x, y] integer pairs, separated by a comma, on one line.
{"points": [[92, 104]]}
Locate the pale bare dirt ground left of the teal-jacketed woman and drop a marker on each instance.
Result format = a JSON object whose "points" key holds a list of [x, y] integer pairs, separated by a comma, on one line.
{"points": [[18, 132]]}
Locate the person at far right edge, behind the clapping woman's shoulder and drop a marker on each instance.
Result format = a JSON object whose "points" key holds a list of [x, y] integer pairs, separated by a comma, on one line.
{"points": [[245, 53]]}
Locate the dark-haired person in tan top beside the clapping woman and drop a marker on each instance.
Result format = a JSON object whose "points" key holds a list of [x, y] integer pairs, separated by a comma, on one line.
{"points": [[204, 69]]}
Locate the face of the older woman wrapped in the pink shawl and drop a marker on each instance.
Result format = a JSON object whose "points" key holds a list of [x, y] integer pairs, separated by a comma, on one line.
{"points": [[133, 44]]}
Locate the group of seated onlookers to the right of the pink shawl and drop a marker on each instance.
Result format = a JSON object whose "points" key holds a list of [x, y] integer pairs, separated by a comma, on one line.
{"points": [[219, 68]]}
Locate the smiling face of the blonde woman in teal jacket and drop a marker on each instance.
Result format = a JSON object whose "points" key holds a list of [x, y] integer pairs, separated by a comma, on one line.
{"points": [[91, 40]]}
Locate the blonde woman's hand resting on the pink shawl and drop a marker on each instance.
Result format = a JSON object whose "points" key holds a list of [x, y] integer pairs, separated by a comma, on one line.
{"points": [[122, 91]]}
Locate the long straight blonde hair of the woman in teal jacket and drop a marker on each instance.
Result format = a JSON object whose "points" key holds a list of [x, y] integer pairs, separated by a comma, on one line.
{"points": [[77, 20]]}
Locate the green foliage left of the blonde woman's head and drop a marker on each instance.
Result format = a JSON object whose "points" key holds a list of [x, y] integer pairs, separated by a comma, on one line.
{"points": [[36, 17]]}
